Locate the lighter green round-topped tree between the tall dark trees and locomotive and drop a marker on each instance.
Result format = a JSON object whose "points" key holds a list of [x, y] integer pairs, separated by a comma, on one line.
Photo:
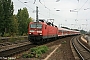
{"points": [[23, 20]]}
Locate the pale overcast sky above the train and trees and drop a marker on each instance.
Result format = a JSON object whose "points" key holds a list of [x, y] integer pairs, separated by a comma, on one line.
{"points": [[74, 14]]}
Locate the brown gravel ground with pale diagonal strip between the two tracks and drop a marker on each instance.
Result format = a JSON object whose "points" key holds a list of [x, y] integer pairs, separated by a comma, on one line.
{"points": [[58, 50]]}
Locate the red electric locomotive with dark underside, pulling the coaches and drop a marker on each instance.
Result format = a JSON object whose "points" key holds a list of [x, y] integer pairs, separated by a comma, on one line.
{"points": [[41, 31]]}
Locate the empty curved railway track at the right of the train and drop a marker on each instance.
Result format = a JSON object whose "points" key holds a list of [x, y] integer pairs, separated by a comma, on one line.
{"points": [[82, 51]]}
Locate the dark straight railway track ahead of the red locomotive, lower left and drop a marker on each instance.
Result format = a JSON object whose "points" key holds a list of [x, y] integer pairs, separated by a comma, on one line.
{"points": [[12, 50]]}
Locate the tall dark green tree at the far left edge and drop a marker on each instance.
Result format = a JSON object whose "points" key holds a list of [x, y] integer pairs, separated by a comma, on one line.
{"points": [[6, 12]]}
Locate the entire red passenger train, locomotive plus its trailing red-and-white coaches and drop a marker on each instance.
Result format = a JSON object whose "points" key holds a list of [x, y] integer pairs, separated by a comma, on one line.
{"points": [[41, 31]]}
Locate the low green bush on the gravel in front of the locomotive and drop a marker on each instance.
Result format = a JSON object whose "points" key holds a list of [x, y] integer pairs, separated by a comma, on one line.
{"points": [[36, 52]]}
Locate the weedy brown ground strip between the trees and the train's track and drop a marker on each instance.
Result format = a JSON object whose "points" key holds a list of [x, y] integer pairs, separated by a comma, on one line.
{"points": [[7, 41]]}
